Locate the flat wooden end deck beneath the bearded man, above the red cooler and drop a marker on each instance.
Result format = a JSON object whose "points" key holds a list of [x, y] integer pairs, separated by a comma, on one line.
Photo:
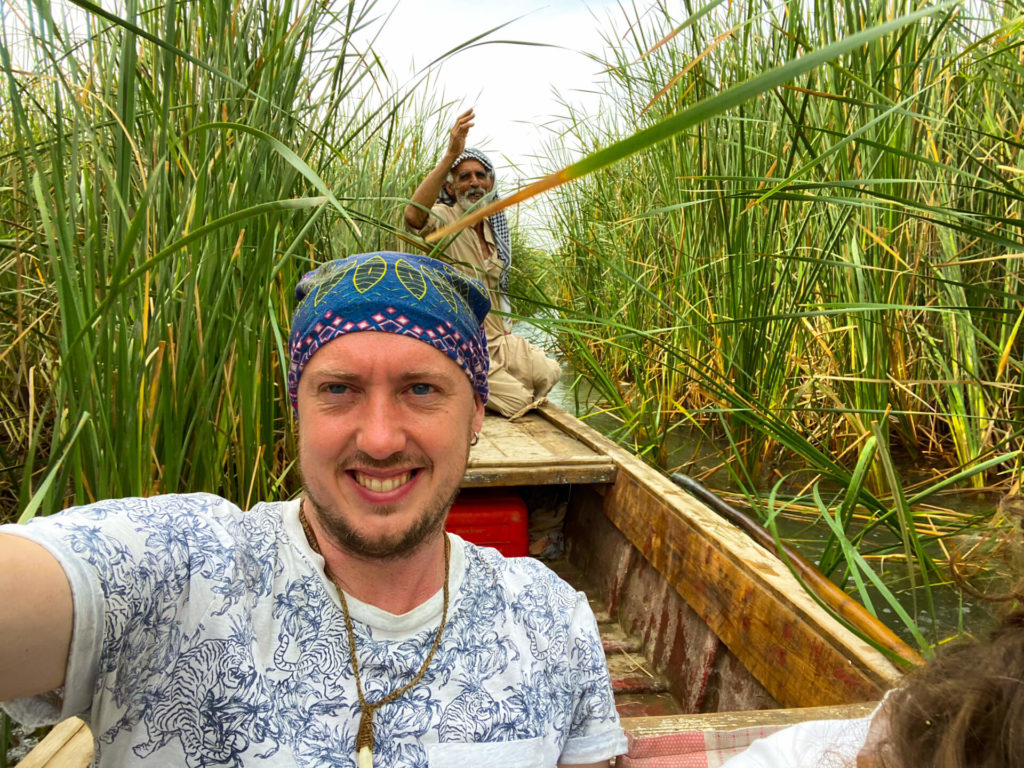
{"points": [[533, 451]]}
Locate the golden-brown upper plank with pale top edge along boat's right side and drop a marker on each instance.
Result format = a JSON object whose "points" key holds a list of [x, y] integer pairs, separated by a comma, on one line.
{"points": [[797, 651]]}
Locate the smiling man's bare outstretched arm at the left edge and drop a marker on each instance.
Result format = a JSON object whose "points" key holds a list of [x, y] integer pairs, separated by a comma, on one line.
{"points": [[36, 619]]}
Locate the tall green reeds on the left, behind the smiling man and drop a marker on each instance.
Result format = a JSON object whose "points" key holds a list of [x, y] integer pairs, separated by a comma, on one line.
{"points": [[174, 170]]}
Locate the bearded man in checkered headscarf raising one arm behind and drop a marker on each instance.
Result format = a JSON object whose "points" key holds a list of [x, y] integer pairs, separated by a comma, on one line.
{"points": [[521, 372]]}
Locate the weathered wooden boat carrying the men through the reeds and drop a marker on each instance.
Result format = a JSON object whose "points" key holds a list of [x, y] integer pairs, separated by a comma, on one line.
{"points": [[705, 629]]}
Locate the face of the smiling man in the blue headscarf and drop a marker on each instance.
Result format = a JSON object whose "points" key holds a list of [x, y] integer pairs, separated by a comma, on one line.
{"points": [[379, 474]]}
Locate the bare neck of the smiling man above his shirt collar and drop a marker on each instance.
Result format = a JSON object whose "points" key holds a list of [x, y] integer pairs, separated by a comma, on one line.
{"points": [[395, 585]]}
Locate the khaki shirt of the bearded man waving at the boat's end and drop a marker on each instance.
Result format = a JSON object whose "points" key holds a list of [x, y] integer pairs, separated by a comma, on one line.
{"points": [[465, 253]]}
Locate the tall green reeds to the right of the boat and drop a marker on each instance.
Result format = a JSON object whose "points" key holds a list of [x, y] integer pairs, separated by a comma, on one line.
{"points": [[830, 275]]}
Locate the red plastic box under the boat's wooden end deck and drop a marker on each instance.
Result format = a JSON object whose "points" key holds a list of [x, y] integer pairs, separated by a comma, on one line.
{"points": [[492, 519]]}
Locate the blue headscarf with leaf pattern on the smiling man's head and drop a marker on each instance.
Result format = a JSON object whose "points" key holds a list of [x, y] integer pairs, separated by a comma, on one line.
{"points": [[396, 293]]}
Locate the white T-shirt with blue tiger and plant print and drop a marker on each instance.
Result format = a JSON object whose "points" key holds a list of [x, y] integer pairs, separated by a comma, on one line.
{"points": [[207, 636]]}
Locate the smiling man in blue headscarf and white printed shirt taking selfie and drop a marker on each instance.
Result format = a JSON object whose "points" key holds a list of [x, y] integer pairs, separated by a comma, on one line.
{"points": [[345, 628]]}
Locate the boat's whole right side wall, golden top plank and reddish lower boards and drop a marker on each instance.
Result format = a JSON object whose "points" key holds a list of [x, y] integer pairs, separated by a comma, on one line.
{"points": [[720, 616]]}
